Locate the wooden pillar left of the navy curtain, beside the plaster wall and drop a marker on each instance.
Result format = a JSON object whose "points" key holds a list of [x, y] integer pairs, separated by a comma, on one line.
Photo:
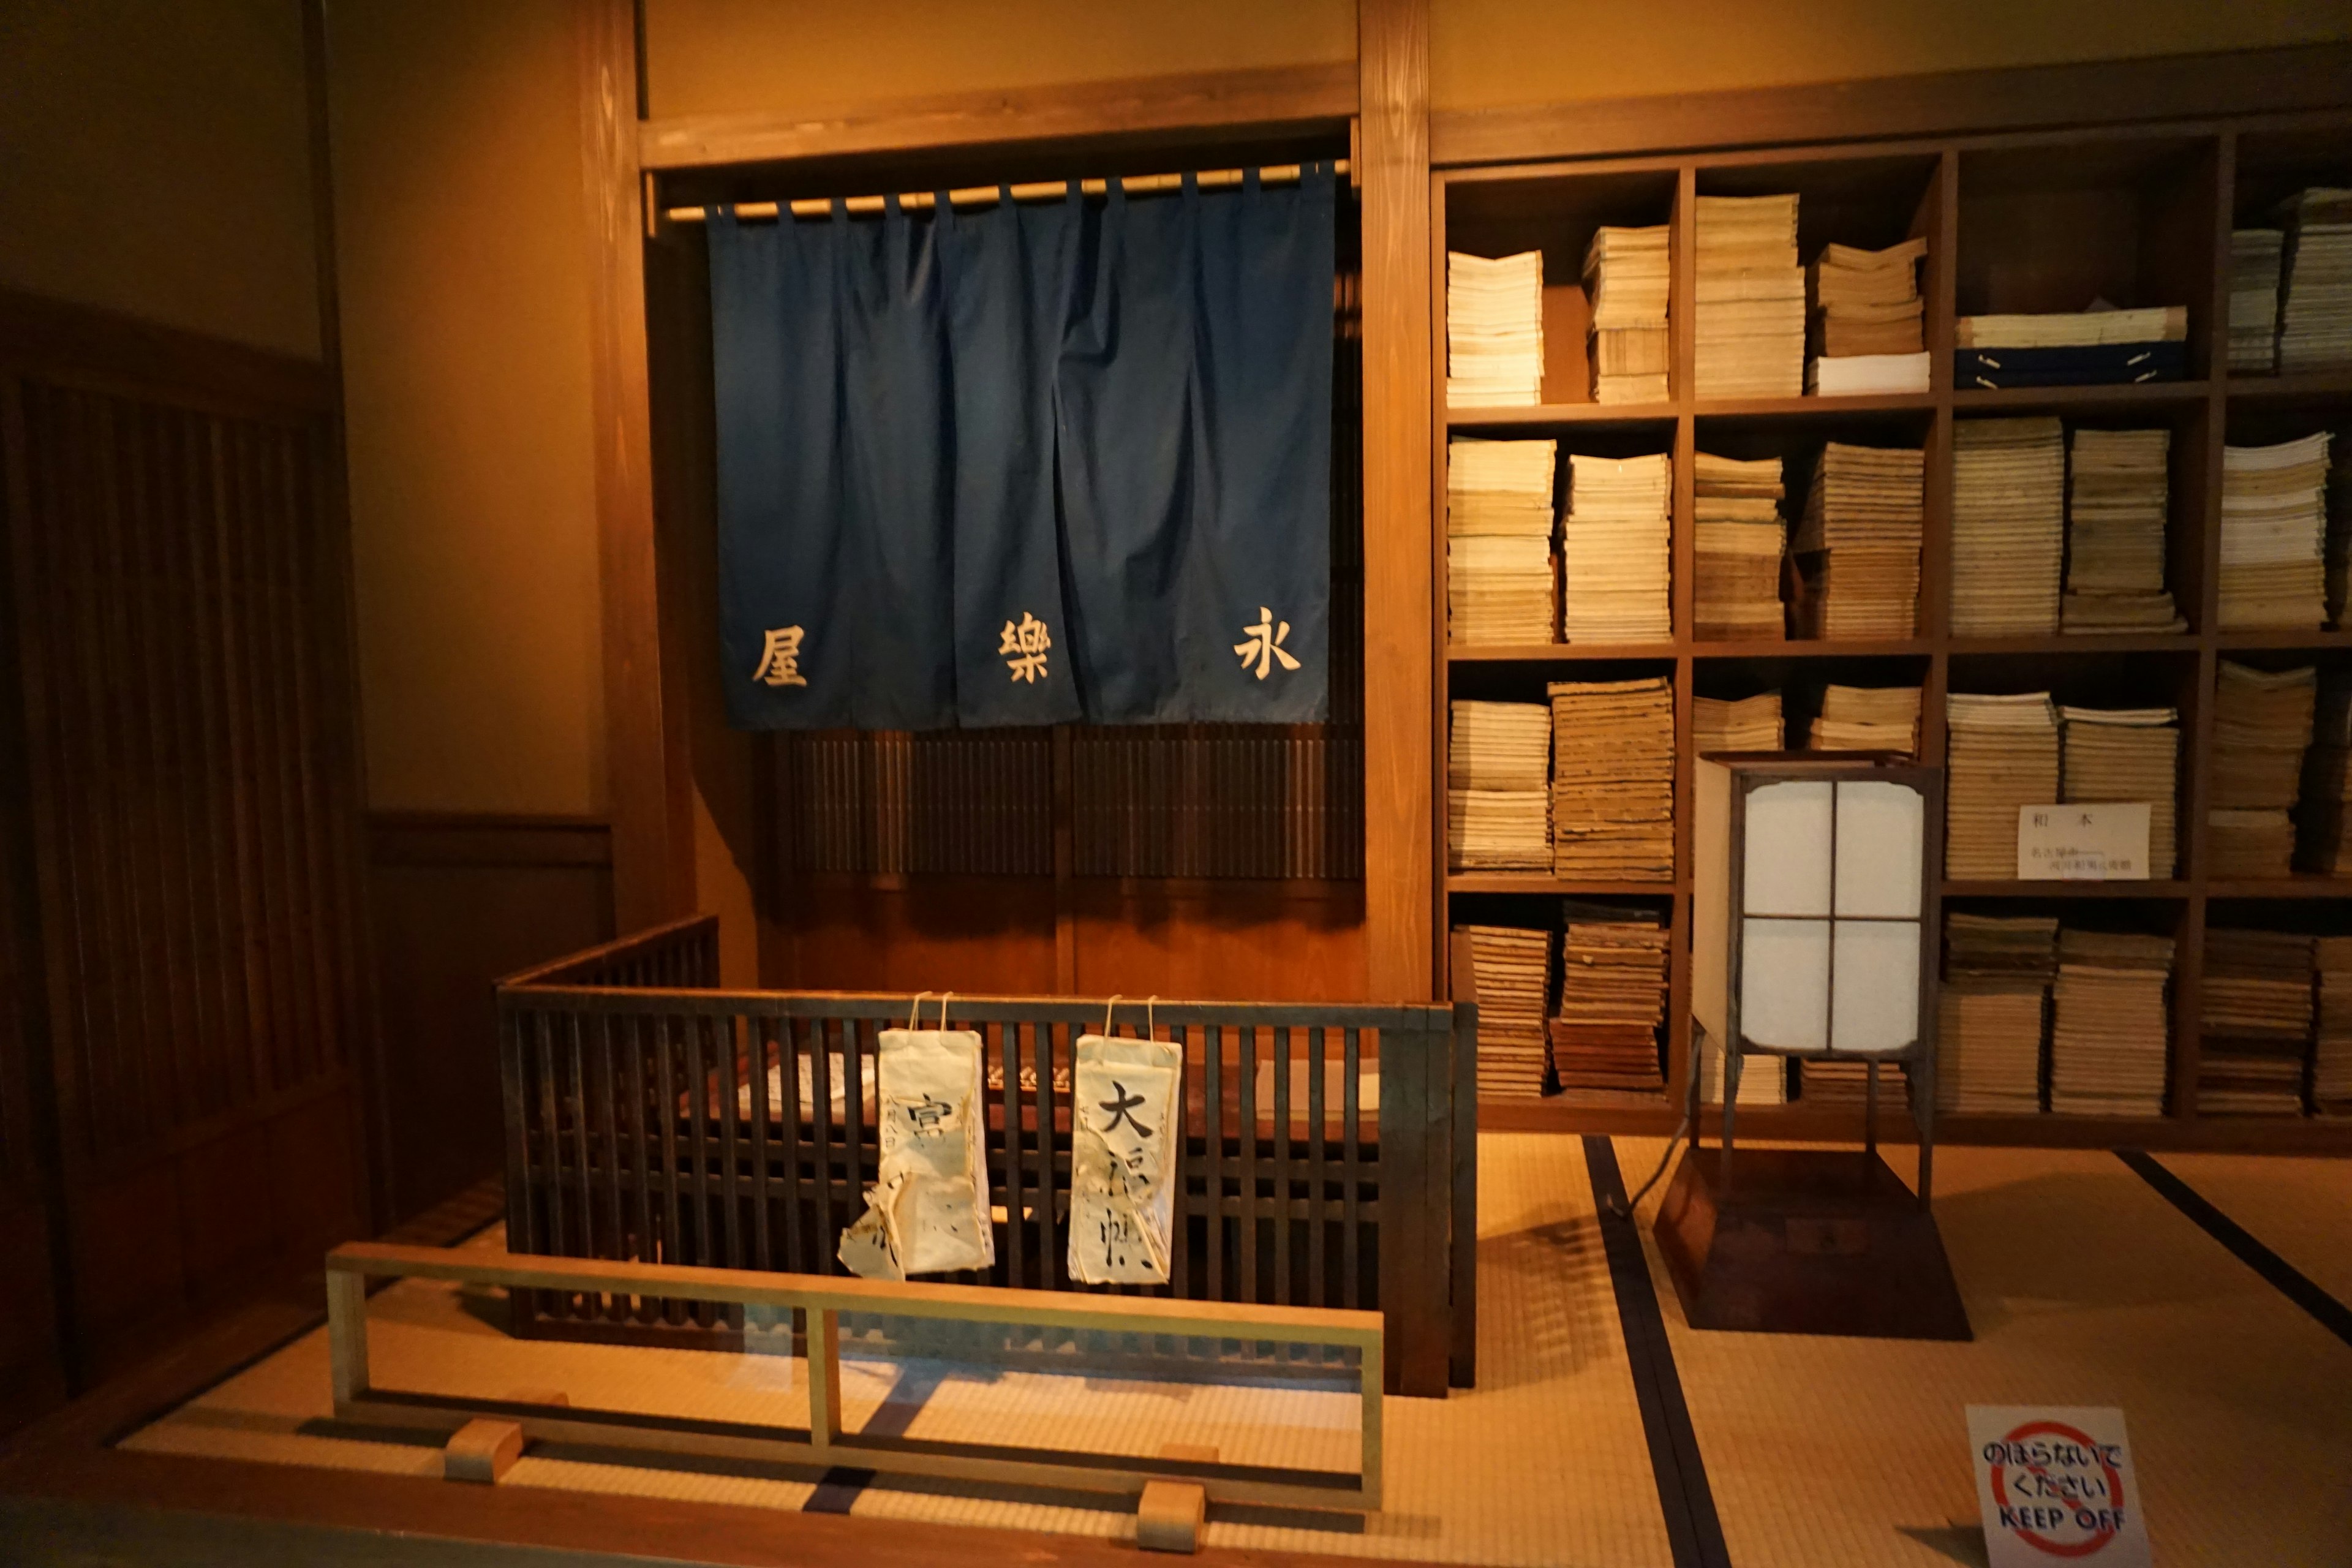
{"points": [[646, 749]]}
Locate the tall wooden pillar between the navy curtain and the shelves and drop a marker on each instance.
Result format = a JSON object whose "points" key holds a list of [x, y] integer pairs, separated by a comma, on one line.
{"points": [[1401, 645]]}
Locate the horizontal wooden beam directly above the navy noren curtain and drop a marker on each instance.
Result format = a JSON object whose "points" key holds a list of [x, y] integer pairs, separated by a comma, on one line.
{"points": [[1215, 100]]}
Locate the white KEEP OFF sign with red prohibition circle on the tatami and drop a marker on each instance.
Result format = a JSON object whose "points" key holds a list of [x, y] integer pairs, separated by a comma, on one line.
{"points": [[2057, 1487]]}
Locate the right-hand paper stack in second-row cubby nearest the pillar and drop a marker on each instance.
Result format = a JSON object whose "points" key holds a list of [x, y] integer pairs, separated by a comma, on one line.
{"points": [[1615, 554]]}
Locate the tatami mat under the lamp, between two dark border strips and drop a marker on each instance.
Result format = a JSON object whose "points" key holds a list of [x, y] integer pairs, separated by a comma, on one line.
{"points": [[2085, 1287]]}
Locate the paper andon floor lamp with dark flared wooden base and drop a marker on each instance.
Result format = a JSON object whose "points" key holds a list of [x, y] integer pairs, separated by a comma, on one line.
{"points": [[1815, 1240]]}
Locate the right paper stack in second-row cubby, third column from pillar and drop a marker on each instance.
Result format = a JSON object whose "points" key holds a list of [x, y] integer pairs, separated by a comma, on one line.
{"points": [[2116, 511]]}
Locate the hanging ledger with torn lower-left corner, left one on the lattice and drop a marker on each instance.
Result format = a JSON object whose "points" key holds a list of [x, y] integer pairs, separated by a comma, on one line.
{"points": [[928, 1209]]}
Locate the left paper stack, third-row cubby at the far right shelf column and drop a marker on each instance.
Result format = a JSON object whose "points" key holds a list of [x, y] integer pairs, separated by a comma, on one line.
{"points": [[2261, 730]]}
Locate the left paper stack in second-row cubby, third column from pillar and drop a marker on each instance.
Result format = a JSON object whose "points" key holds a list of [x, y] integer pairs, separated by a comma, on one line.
{"points": [[2007, 525]]}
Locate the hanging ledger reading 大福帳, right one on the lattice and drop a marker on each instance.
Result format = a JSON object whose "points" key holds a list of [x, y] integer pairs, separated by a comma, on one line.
{"points": [[1125, 1158]]}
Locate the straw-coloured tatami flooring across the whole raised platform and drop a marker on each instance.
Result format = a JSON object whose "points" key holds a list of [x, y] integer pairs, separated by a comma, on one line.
{"points": [[2083, 1282]]}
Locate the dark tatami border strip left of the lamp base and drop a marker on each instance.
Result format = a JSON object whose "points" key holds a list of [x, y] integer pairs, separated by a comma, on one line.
{"points": [[1666, 1419]]}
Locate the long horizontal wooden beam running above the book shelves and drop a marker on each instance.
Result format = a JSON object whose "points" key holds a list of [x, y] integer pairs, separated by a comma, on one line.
{"points": [[1944, 102]]}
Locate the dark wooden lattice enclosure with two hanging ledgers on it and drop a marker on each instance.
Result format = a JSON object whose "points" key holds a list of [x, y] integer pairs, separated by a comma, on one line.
{"points": [[660, 1120]]}
